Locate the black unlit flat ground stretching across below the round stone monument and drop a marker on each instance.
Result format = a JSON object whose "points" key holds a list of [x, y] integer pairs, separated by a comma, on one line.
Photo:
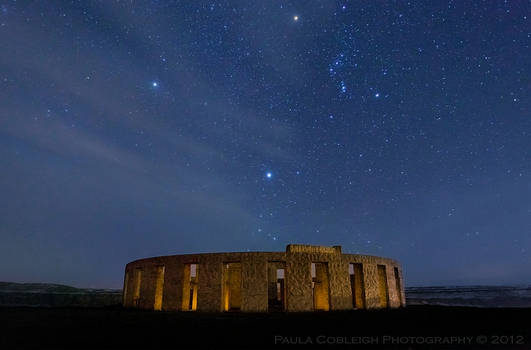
{"points": [[415, 327]]}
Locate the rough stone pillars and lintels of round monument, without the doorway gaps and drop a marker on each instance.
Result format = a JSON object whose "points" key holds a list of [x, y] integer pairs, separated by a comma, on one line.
{"points": [[297, 260]]}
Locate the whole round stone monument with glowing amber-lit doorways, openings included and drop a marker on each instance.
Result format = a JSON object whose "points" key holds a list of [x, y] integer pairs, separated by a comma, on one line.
{"points": [[303, 278]]}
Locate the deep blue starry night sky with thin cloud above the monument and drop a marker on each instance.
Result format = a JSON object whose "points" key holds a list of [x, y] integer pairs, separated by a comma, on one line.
{"points": [[131, 129]]}
